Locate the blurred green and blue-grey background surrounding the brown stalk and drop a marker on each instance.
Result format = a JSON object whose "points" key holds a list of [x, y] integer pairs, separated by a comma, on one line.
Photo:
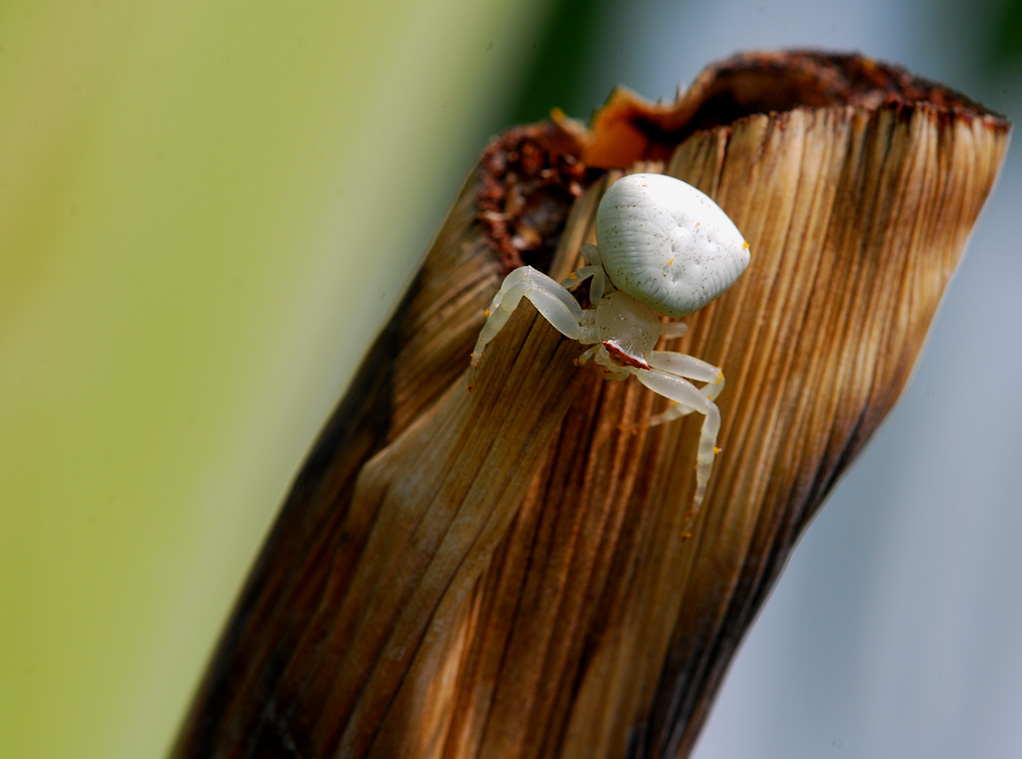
{"points": [[207, 213]]}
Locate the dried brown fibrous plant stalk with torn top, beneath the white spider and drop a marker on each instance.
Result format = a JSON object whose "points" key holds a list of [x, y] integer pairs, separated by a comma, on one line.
{"points": [[502, 573]]}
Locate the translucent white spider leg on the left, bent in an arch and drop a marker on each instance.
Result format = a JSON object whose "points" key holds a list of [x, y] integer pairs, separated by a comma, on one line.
{"points": [[550, 299]]}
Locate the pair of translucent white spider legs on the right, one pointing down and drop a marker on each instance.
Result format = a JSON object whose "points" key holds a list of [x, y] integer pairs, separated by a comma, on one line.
{"points": [[663, 378]]}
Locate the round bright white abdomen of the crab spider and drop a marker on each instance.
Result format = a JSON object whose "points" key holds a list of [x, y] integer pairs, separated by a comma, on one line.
{"points": [[667, 245]]}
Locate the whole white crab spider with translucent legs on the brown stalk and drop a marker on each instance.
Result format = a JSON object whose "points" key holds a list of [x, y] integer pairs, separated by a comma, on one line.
{"points": [[663, 248]]}
